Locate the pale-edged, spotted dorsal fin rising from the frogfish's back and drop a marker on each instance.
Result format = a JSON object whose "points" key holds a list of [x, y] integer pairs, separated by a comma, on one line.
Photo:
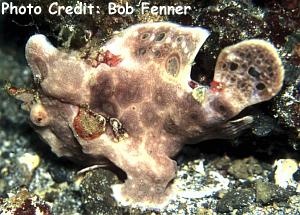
{"points": [[166, 46]]}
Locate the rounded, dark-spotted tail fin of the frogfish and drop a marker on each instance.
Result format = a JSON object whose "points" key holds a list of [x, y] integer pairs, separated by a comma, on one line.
{"points": [[249, 72]]}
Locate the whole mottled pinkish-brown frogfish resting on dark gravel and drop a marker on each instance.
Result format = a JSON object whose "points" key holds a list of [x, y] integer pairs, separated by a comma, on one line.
{"points": [[139, 110]]}
